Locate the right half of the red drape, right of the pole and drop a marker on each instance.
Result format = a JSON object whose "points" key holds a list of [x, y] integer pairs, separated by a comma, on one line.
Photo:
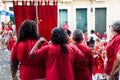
{"points": [[48, 20]]}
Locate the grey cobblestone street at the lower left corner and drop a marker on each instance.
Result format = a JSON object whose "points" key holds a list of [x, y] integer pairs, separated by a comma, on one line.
{"points": [[4, 65]]}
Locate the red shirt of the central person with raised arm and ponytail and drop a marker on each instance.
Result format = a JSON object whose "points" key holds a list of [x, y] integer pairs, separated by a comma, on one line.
{"points": [[59, 65]]}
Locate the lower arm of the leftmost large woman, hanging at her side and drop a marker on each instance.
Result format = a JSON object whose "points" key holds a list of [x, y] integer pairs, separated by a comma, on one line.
{"points": [[14, 68]]}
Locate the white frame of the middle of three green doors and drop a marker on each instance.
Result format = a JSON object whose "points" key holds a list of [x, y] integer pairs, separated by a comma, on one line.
{"points": [[81, 7]]}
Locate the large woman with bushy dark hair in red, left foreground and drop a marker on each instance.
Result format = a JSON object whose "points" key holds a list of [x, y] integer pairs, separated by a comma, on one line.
{"points": [[30, 69]]}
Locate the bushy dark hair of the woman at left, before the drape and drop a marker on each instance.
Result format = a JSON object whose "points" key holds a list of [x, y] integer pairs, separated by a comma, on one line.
{"points": [[28, 30]]}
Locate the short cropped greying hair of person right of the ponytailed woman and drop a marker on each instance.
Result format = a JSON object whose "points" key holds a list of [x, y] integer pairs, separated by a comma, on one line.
{"points": [[78, 35]]}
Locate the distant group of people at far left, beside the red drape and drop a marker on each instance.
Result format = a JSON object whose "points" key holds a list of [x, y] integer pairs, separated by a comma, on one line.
{"points": [[7, 35]]}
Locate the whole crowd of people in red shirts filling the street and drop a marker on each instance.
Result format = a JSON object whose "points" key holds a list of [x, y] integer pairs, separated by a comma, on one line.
{"points": [[67, 56]]}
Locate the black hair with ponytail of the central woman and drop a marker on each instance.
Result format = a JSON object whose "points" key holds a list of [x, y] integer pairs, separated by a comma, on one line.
{"points": [[59, 36]]}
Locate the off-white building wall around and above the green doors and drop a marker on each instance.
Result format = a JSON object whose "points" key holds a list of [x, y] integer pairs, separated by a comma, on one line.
{"points": [[112, 6]]}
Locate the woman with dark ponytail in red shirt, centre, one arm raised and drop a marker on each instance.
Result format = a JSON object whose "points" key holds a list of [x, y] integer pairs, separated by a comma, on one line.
{"points": [[59, 56]]}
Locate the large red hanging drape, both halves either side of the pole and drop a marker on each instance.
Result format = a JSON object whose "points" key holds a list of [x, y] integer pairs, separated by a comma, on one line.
{"points": [[47, 17]]}
